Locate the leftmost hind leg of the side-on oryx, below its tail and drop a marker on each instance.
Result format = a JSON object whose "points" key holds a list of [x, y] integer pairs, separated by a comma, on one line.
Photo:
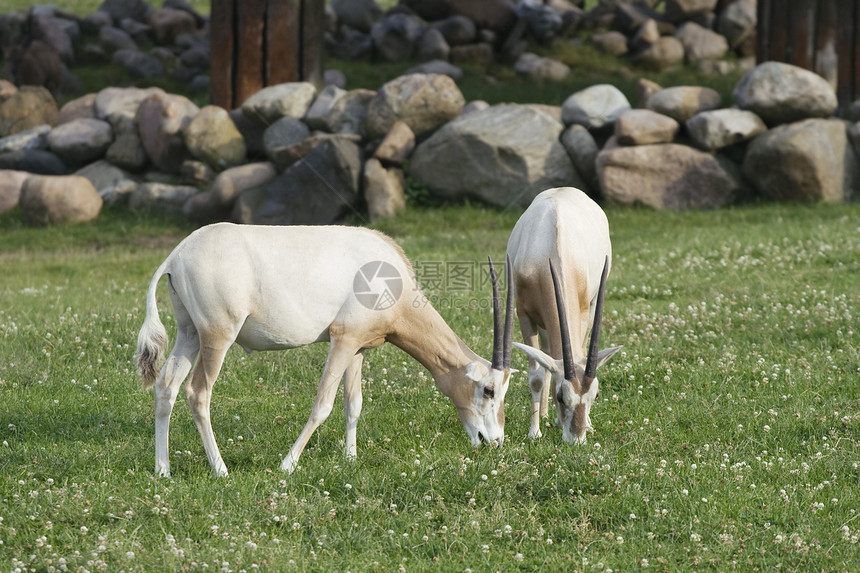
{"points": [[166, 389]]}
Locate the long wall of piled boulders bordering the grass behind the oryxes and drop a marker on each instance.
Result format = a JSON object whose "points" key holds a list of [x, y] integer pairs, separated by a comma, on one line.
{"points": [[292, 154]]}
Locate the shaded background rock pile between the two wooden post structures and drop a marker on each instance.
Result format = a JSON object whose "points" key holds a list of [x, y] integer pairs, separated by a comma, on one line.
{"points": [[487, 31]]}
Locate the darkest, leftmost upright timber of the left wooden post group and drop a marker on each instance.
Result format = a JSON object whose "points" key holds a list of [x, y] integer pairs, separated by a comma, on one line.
{"points": [[221, 53]]}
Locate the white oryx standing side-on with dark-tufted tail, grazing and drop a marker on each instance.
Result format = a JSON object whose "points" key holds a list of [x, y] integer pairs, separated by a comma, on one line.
{"points": [[272, 288]]}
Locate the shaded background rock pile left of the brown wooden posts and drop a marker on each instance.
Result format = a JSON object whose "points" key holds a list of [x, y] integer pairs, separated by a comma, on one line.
{"points": [[42, 45]]}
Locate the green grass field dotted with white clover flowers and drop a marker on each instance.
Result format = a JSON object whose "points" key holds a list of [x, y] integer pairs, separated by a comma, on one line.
{"points": [[725, 435]]}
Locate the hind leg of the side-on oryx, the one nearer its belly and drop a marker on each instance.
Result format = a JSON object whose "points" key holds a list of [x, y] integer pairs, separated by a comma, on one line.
{"points": [[198, 394]]}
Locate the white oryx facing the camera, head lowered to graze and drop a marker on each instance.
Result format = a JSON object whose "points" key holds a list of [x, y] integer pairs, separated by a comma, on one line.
{"points": [[561, 255]]}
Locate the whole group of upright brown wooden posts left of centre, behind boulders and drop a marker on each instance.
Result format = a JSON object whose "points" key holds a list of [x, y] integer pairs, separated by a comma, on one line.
{"points": [[259, 43]]}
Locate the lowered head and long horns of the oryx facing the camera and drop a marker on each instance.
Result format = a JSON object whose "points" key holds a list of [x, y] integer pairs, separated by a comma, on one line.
{"points": [[575, 382]]}
